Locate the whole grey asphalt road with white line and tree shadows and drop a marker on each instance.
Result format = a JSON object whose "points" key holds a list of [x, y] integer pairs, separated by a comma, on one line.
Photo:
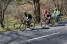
{"points": [[54, 35]]}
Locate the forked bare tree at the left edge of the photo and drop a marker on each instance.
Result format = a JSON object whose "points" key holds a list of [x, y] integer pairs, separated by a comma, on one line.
{"points": [[3, 6]]}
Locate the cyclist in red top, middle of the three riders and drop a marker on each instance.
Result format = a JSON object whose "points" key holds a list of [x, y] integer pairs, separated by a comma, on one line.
{"points": [[46, 17]]}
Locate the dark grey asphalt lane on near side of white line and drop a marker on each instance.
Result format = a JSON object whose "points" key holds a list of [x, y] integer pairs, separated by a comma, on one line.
{"points": [[60, 38]]}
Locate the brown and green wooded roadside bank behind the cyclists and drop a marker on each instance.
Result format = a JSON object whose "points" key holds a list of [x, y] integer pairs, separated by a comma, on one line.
{"points": [[15, 11]]}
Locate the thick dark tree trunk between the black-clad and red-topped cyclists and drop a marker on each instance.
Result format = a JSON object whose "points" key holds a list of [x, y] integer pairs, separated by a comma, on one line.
{"points": [[37, 10]]}
